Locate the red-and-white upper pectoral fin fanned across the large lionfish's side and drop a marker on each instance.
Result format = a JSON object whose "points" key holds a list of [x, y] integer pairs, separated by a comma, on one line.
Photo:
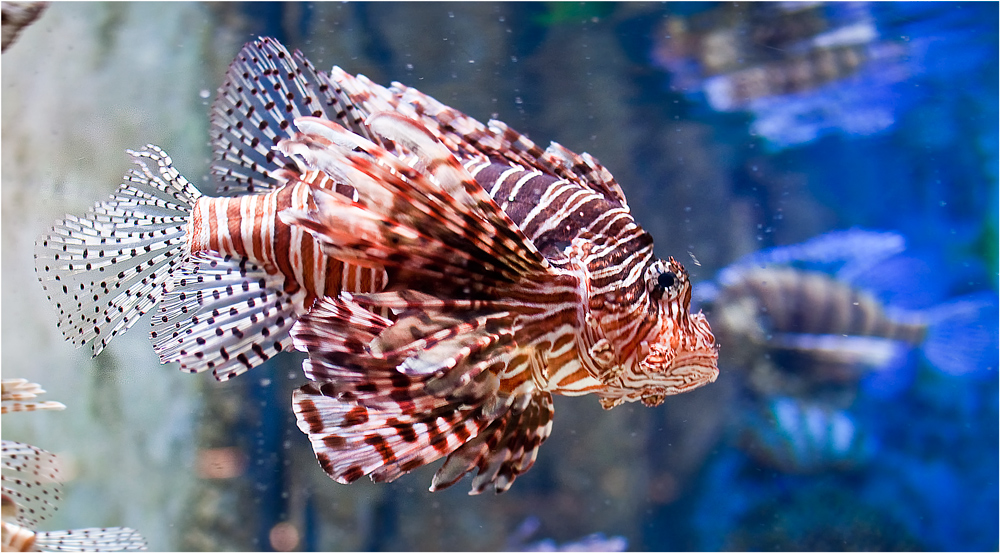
{"points": [[415, 224]]}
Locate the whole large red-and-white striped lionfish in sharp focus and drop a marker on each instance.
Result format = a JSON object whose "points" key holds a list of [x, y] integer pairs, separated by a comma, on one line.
{"points": [[447, 277]]}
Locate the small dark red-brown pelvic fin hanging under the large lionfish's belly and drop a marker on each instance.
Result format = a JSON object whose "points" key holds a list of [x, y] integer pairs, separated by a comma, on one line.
{"points": [[506, 448]]}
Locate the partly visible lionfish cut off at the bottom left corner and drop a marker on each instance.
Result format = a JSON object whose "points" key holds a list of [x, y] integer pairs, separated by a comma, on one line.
{"points": [[31, 488]]}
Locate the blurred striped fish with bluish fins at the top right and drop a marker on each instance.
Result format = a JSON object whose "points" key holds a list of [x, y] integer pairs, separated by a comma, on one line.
{"points": [[804, 69]]}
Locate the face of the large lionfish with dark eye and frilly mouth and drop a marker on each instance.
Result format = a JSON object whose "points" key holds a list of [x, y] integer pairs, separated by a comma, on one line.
{"points": [[678, 353]]}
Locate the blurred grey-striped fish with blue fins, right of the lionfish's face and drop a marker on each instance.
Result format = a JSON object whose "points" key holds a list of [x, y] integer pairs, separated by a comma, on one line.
{"points": [[840, 306]]}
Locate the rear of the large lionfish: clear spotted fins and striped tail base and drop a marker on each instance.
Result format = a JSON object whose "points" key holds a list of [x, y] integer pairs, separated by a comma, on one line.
{"points": [[158, 236]]}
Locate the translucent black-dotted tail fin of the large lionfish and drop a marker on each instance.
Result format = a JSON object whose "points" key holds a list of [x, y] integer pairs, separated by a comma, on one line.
{"points": [[105, 270]]}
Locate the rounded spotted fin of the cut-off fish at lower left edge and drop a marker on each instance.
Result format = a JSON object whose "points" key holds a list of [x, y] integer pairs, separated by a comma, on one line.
{"points": [[31, 482]]}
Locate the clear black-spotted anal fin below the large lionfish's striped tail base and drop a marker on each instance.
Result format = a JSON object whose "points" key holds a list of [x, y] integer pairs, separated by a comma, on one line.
{"points": [[224, 314]]}
